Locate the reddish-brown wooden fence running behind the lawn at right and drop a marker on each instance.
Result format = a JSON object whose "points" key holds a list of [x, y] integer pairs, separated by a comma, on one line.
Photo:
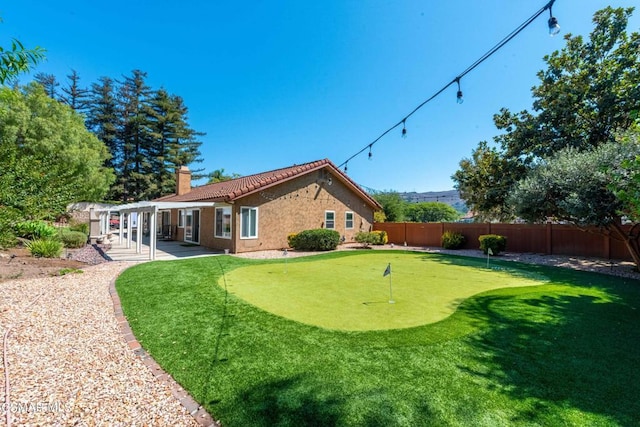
{"points": [[550, 239]]}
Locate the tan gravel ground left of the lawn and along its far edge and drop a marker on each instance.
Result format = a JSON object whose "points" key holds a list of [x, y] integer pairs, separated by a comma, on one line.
{"points": [[68, 363]]}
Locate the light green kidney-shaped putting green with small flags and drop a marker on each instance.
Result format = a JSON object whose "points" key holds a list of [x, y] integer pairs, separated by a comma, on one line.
{"points": [[349, 293]]}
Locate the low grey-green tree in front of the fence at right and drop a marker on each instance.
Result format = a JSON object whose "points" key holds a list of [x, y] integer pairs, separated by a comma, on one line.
{"points": [[574, 186]]}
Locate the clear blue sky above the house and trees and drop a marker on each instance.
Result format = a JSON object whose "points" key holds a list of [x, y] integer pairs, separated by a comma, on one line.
{"points": [[287, 82]]}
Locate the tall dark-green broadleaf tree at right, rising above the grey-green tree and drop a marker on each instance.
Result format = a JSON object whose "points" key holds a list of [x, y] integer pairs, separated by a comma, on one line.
{"points": [[589, 93]]}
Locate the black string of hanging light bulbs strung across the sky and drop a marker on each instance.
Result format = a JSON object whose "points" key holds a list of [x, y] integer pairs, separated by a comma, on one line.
{"points": [[456, 80]]}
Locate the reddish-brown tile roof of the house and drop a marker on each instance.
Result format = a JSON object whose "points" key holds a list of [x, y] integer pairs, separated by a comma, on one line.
{"points": [[231, 190]]}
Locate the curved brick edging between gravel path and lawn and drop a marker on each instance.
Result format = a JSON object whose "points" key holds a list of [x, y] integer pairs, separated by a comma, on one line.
{"points": [[199, 414]]}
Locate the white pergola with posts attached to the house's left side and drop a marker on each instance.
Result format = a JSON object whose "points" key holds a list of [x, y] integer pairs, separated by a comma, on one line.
{"points": [[140, 208]]}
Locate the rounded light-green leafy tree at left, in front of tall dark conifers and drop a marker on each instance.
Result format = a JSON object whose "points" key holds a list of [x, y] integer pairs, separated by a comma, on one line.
{"points": [[48, 158]]}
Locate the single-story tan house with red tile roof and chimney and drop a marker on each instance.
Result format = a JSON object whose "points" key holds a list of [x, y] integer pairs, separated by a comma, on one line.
{"points": [[258, 212]]}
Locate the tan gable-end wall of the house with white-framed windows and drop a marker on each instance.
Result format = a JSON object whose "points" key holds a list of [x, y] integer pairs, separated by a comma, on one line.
{"points": [[297, 205]]}
